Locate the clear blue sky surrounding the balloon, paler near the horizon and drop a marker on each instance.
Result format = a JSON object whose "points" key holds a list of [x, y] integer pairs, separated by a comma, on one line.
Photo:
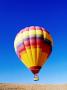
{"points": [[17, 14]]}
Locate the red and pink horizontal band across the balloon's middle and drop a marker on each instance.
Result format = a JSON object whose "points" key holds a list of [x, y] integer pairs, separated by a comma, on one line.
{"points": [[35, 43]]}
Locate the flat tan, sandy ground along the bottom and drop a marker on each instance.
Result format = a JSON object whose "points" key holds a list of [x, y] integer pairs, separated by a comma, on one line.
{"points": [[32, 87]]}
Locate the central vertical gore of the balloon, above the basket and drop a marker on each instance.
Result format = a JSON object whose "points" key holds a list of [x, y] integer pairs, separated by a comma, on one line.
{"points": [[33, 45]]}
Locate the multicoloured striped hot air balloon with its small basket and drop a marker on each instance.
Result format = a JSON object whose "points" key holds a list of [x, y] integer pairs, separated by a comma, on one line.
{"points": [[33, 45]]}
